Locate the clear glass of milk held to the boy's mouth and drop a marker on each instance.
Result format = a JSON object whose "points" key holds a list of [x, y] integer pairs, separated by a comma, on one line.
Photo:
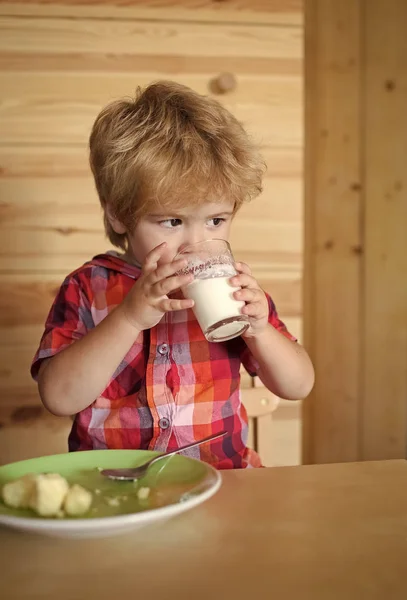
{"points": [[216, 310]]}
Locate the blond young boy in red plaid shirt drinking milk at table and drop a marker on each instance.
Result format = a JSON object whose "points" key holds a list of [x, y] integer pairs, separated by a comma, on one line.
{"points": [[122, 351]]}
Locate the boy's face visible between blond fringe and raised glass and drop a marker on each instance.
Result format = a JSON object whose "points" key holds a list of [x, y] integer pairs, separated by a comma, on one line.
{"points": [[179, 228]]}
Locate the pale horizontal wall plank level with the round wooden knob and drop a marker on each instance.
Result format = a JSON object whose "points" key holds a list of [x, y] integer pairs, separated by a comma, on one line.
{"points": [[60, 109]]}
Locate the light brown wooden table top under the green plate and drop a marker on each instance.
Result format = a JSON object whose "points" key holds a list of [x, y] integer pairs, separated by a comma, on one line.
{"points": [[319, 532]]}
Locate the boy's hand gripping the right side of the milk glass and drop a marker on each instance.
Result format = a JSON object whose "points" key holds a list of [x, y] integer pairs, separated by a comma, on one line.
{"points": [[257, 308]]}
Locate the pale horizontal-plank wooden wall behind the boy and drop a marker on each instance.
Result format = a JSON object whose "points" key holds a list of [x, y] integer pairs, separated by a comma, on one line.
{"points": [[59, 64]]}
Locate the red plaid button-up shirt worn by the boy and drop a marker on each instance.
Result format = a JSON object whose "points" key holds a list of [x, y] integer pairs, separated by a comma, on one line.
{"points": [[172, 388]]}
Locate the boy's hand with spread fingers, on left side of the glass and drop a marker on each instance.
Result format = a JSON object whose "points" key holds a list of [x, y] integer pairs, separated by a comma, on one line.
{"points": [[147, 301]]}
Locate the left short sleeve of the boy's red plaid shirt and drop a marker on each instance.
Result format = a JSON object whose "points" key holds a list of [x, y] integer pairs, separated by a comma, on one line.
{"points": [[69, 320]]}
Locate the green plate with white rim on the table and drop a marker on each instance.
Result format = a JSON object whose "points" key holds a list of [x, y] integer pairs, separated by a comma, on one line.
{"points": [[176, 484]]}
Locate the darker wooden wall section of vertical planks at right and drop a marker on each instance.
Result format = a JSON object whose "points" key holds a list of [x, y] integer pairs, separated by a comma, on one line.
{"points": [[355, 319]]}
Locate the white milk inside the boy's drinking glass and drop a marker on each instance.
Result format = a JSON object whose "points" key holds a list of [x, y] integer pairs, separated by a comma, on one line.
{"points": [[214, 302]]}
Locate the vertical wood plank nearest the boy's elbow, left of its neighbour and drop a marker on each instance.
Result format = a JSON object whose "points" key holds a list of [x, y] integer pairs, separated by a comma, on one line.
{"points": [[333, 229]]}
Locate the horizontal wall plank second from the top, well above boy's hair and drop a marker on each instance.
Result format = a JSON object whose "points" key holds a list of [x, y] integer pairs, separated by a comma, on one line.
{"points": [[59, 36]]}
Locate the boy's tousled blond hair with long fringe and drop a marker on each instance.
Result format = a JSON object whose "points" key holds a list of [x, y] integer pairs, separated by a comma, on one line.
{"points": [[172, 147]]}
